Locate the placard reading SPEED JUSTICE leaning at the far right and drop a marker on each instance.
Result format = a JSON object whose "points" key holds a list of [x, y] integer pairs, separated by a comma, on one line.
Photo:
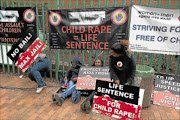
{"points": [[167, 90]]}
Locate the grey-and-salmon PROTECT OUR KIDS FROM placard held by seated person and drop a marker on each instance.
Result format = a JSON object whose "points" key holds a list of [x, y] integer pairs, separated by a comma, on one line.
{"points": [[87, 77]]}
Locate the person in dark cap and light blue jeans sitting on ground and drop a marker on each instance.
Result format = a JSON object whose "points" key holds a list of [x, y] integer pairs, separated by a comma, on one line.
{"points": [[71, 79]]}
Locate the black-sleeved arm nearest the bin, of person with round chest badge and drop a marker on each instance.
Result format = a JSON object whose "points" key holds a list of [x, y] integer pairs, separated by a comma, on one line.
{"points": [[131, 71]]}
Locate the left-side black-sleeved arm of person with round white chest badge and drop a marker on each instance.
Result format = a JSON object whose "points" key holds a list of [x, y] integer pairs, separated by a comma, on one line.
{"points": [[112, 73]]}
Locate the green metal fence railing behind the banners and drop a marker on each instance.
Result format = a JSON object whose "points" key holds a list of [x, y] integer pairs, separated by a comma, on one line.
{"points": [[61, 59]]}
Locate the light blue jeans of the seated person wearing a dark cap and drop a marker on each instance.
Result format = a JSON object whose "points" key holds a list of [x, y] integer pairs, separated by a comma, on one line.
{"points": [[70, 88]]}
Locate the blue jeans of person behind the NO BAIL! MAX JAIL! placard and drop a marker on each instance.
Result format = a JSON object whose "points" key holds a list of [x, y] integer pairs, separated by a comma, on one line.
{"points": [[34, 74]]}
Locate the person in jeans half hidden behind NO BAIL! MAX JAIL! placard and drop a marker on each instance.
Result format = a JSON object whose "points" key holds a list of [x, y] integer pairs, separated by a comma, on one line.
{"points": [[41, 64]]}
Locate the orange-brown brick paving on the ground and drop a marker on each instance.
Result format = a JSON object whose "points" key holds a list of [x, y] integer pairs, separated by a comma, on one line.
{"points": [[18, 101]]}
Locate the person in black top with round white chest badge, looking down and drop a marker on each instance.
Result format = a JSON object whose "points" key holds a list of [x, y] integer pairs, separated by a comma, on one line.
{"points": [[122, 66]]}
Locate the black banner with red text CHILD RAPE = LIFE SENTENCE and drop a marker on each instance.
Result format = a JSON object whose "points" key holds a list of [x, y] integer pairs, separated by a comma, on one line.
{"points": [[89, 28]]}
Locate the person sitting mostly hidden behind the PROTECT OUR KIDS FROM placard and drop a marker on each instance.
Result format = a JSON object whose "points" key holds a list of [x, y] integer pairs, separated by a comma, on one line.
{"points": [[87, 104]]}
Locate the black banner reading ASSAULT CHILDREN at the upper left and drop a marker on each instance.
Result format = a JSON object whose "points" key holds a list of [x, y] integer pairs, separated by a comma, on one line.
{"points": [[14, 21]]}
